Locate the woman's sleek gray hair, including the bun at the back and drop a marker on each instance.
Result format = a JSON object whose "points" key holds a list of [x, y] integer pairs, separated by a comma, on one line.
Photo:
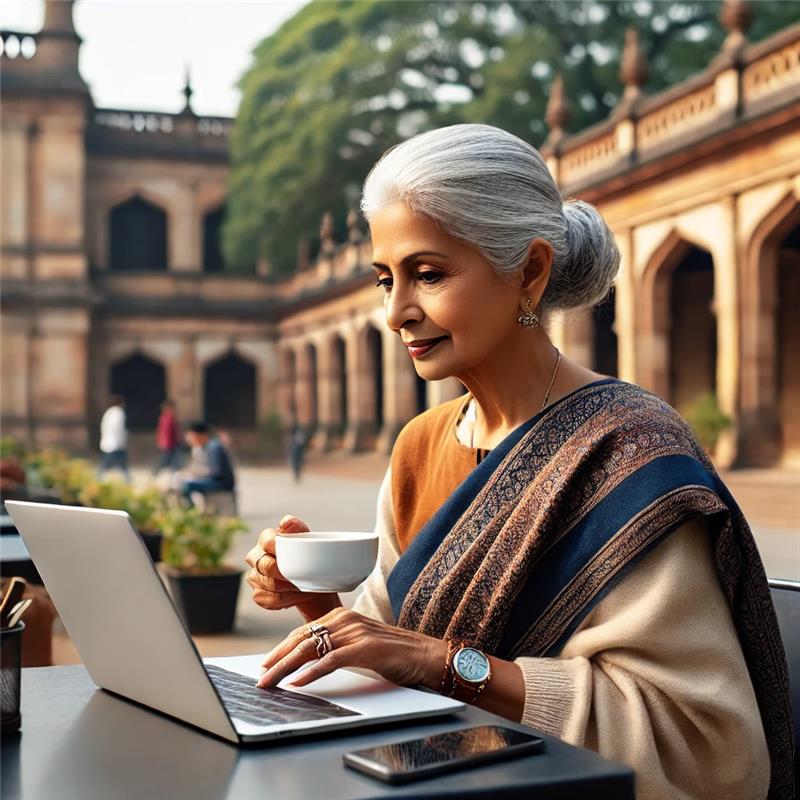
{"points": [[493, 191]]}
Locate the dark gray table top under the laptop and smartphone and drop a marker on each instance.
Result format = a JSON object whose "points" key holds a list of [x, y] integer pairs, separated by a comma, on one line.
{"points": [[81, 743]]}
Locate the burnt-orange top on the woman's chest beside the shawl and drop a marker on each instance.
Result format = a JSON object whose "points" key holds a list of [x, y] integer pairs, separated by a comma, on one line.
{"points": [[428, 464]]}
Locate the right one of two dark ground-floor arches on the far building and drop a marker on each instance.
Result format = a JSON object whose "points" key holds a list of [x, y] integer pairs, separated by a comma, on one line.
{"points": [[229, 393]]}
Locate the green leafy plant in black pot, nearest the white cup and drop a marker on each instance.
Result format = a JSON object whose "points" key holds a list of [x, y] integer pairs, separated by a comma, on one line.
{"points": [[204, 589]]}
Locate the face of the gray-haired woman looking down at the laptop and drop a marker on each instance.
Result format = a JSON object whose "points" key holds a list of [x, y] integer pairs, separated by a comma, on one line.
{"points": [[451, 309]]}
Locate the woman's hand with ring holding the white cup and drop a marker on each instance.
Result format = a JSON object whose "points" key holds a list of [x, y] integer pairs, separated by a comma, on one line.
{"points": [[270, 589]]}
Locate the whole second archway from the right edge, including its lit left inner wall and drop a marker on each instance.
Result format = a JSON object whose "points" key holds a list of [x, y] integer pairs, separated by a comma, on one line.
{"points": [[677, 324]]}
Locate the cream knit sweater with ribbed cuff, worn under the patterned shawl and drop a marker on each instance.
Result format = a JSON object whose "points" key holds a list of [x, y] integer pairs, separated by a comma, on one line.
{"points": [[654, 677]]}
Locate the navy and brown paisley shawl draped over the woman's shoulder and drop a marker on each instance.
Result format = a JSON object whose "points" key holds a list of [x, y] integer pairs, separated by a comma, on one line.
{"points": [[558, 513]]}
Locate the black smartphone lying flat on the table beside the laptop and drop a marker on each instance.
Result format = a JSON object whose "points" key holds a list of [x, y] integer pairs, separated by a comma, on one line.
{"points": [[415, 759]]}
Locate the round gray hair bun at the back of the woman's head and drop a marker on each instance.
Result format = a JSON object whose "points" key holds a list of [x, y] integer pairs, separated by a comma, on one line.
{"points": [[585, 276]]}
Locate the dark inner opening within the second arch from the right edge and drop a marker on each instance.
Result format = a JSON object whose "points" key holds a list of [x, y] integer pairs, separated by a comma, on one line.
{"points": [[692, 330]]}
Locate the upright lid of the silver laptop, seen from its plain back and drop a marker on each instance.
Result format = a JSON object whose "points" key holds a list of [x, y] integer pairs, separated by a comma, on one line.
{"points": [[118, 612]]}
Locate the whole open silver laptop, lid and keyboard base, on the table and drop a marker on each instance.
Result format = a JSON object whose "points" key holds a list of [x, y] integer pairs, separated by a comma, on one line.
{"points": [[133, 642]]}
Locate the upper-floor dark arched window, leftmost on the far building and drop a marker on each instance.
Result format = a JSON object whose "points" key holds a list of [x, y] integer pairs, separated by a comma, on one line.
{"points": [[138, 236]]}
